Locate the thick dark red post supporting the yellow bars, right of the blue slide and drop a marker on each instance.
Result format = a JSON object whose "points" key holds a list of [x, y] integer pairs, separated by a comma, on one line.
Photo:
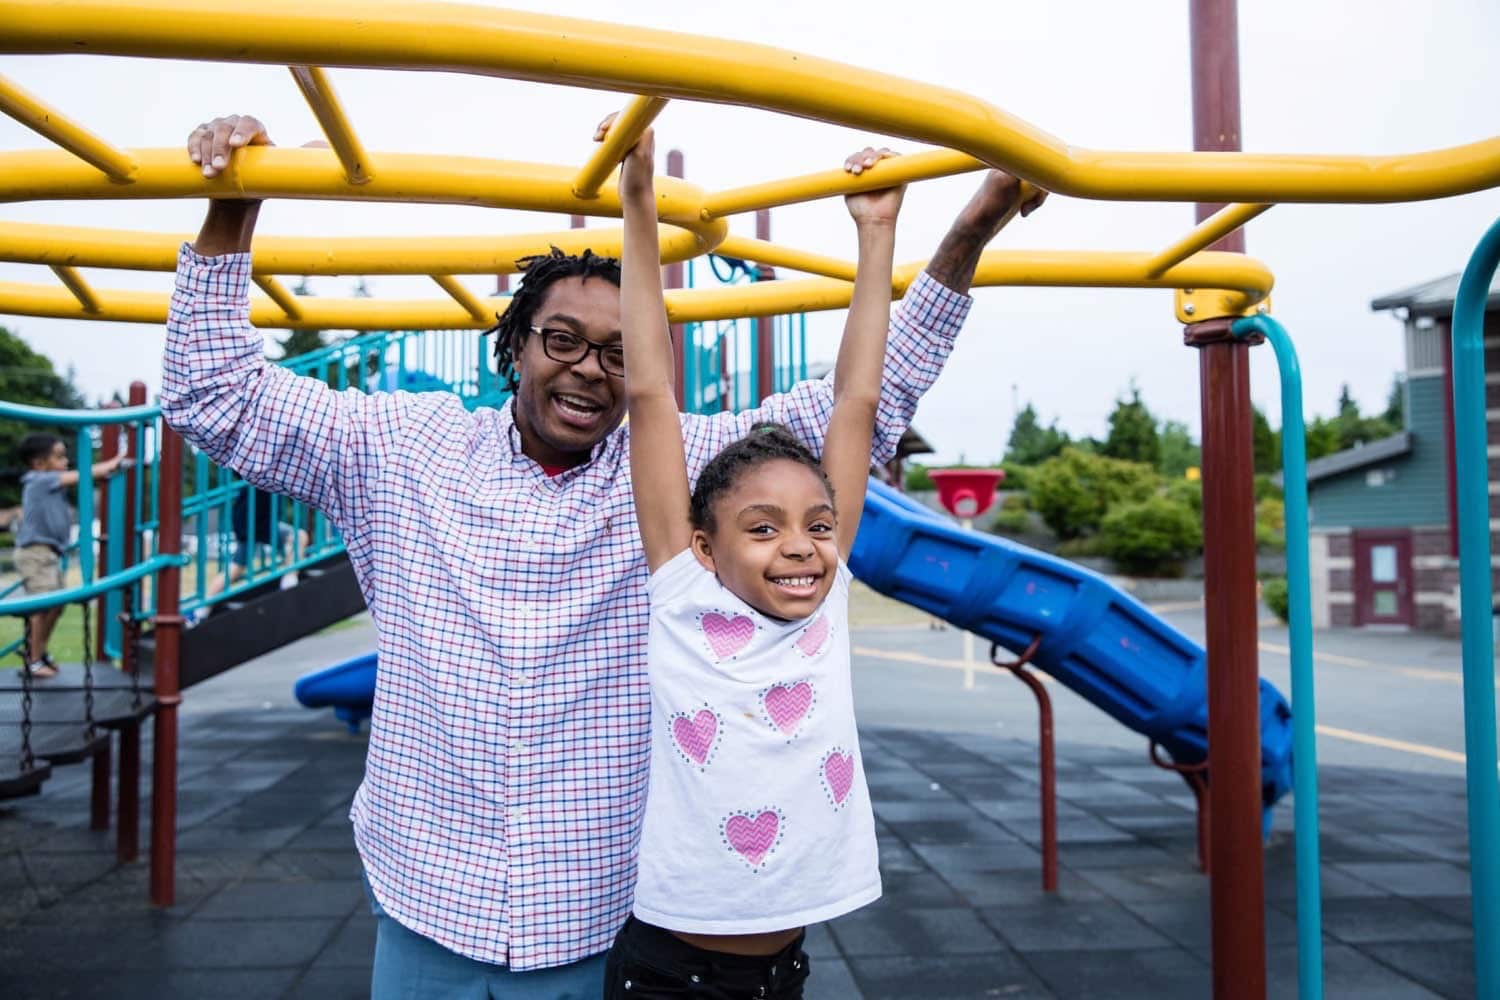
{"points": [[1237, 858]]}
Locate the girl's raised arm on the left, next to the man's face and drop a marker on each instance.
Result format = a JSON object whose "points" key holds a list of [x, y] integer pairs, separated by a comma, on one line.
{"points": [[658, 466]]}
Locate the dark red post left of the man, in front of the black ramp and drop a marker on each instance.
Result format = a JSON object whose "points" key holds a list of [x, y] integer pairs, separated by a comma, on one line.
{"points": [[169, 635]]}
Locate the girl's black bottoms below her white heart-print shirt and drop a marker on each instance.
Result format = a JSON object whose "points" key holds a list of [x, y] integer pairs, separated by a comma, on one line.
{"points": [[650, 963]]}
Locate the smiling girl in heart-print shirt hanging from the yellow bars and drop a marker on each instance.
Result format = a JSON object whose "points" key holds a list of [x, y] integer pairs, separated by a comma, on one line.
{"points": [[758, 821]]}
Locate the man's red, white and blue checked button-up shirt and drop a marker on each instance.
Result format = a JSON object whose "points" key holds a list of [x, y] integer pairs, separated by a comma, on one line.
{"points": [[508, 762]]}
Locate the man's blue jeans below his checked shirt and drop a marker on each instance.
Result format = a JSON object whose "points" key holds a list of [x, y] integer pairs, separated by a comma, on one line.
{"points": [[409, 965]]}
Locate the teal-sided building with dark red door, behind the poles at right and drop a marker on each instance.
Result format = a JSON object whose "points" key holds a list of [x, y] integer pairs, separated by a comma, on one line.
{"points": [[1384, 515]]}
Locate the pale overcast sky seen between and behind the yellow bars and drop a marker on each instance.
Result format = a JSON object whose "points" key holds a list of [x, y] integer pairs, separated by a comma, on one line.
{"points": [[1379, 77]]}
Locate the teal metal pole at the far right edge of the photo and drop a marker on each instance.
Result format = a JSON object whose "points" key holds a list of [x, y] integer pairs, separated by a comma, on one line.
{"points": [[1477, 606]]}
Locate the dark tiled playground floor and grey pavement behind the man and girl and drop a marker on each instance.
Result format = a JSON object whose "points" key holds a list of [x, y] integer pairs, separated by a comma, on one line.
{"points": [[271, 902]]}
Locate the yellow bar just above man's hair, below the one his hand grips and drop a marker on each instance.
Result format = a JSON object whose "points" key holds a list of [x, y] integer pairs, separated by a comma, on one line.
{"points": [[77, 247]]}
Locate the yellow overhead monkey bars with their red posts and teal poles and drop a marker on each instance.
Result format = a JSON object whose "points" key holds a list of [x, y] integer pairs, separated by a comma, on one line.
{"points": [[1220, 298]]}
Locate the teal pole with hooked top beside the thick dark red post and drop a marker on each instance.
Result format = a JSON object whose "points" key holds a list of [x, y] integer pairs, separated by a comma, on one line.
{"points": [[1300, 621]]}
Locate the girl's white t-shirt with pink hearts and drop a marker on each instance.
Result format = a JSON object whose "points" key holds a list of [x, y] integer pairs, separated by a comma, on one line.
{"points": [[758, 816]]}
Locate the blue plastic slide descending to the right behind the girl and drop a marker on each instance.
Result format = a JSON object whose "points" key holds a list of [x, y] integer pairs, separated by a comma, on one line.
{"points": [[1097, 639]]}
